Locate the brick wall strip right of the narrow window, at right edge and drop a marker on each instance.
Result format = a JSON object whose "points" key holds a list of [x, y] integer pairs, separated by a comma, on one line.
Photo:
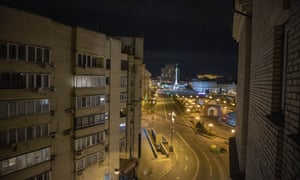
{"points": [[291, 148]]}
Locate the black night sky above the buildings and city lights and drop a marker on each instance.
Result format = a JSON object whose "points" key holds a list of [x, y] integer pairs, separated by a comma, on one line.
{"points": [[196, 34]]}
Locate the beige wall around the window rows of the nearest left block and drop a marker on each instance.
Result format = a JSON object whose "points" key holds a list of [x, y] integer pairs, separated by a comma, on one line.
{"points": [[24, 28]]}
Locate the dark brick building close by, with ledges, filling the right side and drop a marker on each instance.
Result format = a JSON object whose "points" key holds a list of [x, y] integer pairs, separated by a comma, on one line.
{"points": [[266, 145]]}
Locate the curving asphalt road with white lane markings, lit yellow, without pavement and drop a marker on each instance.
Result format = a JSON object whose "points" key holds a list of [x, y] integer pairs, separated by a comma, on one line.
{"points": [[195, 159]]}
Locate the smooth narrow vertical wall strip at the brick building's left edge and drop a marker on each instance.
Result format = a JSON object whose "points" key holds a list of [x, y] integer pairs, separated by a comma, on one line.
{"points": [[242, 97]]}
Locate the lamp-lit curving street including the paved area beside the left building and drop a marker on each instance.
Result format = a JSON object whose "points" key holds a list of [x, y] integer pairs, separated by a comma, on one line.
{"points": [[193, 157]]}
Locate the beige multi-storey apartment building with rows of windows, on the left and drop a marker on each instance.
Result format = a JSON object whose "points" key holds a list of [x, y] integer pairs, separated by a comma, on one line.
{"points": [[69, 100]]}
